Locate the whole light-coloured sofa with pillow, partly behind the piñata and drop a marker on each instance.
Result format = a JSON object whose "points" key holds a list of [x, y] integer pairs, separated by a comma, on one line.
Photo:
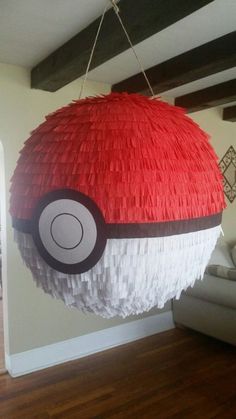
{"points": [[210, 306]]}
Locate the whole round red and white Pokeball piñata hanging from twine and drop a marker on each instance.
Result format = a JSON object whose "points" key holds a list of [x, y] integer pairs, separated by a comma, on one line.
{"points": [[116, 203]]}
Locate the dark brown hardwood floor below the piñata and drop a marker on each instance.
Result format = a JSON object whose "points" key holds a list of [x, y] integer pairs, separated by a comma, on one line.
{"points": [[176, 374]]}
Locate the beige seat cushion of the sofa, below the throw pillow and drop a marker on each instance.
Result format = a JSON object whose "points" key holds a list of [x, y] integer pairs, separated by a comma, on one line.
{"points": [[215, 290]]}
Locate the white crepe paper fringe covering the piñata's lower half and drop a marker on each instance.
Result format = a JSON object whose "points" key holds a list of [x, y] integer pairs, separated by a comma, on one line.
{"points": [[132, 276]]}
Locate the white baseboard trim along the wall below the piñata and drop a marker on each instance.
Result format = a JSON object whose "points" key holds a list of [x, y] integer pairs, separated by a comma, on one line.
{"points": [[71, 349]]}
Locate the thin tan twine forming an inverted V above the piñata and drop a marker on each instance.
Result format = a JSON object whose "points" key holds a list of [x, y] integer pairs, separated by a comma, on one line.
{"points": [[117, 12]]}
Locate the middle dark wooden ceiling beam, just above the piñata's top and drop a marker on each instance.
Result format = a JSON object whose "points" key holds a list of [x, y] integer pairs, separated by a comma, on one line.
{"points": [[210, 58]]}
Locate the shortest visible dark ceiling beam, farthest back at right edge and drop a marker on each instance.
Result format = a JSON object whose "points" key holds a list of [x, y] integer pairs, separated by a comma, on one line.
{"points": [[210, 97]]}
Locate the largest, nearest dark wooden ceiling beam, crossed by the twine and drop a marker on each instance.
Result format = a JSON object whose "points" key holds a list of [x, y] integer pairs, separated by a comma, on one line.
{"points": [[142, 19]]}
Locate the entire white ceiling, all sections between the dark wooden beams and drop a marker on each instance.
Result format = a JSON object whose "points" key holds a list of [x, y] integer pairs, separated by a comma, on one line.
{"points": [[32, 29]]}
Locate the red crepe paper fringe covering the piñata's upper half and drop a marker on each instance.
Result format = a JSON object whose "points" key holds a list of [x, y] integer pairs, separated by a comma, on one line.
{"points": [[140, 159]]}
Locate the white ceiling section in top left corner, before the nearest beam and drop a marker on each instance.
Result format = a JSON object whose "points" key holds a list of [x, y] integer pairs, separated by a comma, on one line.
{"points": [[32, 29]]}
